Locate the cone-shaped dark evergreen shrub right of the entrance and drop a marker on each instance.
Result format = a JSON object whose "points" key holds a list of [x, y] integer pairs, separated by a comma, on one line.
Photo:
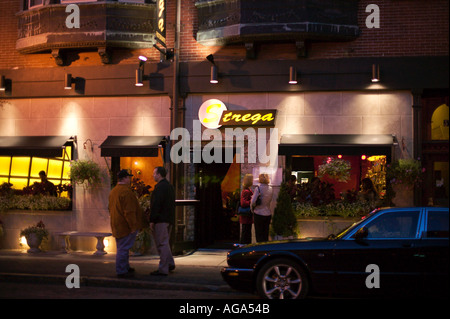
{"points": [[284, 221]]}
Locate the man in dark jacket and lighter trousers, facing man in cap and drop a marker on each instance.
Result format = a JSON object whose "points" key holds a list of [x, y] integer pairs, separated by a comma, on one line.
{"points": [[162, 217]]}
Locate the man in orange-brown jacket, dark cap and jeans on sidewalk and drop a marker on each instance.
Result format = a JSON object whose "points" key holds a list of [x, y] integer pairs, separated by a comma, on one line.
{"points": [[127, 219]]}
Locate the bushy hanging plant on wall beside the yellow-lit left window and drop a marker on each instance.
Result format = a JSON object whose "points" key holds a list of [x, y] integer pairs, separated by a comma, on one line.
{"points": [[85, 172]]}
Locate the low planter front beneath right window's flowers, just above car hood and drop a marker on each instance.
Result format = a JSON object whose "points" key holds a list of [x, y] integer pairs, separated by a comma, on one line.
{"points": [[323, 226]]}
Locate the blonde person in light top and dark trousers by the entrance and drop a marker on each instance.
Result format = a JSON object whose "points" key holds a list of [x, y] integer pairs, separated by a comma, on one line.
{"points": [[262, 213]]}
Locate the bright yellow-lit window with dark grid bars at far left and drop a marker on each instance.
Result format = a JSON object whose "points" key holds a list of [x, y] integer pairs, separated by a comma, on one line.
{"points": [[23, 171]]}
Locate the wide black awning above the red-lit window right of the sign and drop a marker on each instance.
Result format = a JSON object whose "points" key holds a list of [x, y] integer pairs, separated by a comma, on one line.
{"points": [[304, 144]]}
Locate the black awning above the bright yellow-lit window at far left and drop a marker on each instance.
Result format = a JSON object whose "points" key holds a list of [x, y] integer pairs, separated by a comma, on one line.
{"points": [[39, 146]]}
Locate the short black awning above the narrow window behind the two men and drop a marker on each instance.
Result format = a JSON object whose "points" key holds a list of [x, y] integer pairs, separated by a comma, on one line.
{"points": [[136, 146]]}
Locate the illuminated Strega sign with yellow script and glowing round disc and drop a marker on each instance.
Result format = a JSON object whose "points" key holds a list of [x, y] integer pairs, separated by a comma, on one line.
{"points": [[213, 114]]}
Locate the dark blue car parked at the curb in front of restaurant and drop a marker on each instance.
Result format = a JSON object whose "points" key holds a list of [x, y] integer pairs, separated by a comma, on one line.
{"points": [[390, 252]]}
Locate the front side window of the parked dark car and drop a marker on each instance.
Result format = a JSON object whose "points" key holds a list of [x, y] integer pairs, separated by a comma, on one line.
{"points": [[394, 225]]}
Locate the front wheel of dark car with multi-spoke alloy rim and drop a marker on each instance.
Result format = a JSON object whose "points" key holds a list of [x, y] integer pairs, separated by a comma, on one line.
{"points": [[282, 279]]}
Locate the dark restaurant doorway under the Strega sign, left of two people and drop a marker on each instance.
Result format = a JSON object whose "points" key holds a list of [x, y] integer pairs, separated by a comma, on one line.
{"points": [[215, 185]]}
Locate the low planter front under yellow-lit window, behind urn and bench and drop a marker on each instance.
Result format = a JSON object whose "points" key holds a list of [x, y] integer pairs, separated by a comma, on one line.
{"points": [[16, 220]]}
